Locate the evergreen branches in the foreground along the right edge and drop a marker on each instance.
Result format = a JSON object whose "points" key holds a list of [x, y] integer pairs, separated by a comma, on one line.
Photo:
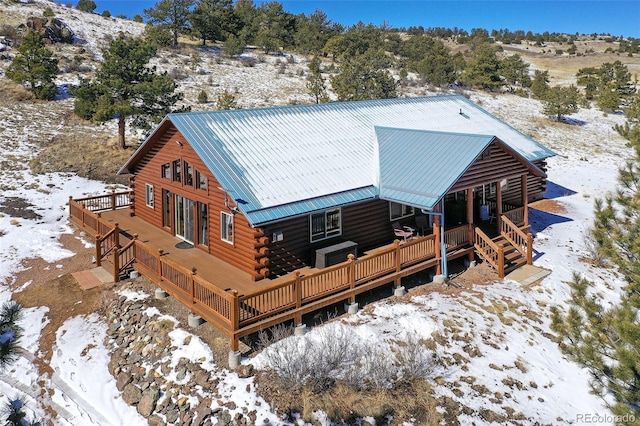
{"points": [[602, 338]]}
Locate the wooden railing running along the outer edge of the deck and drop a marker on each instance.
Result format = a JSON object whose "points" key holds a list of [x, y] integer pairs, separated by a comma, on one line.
{"points": [[239, 314]]}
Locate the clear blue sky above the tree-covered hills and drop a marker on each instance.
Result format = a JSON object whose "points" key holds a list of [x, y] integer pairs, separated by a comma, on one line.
{"points": [[567, 16]]}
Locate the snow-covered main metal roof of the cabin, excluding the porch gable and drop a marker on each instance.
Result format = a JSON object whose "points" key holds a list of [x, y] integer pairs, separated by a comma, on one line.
{"points": [[276, 160]]}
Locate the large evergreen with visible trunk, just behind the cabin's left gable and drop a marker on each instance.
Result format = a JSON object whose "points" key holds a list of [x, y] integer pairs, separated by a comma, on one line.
{"points": [[126, 86]]}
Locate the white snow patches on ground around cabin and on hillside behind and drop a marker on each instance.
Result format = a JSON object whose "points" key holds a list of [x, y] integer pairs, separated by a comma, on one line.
{"points": [[494, 345]]}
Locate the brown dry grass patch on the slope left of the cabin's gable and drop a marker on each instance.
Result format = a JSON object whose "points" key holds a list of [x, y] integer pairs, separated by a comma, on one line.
{"points": [[82, 151]]}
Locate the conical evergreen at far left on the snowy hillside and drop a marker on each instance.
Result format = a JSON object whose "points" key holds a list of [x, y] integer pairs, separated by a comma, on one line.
{"points": [[35, 67]]}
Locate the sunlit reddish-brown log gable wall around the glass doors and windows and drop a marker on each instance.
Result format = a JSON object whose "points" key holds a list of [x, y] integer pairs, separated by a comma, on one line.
{"points": [[245, 252]]}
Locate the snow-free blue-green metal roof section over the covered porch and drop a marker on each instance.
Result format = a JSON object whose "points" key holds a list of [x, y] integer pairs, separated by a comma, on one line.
{"points": [[418, 167]]}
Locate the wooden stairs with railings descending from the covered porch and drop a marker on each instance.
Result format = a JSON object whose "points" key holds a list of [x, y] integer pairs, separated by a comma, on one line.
{"points": [[508, 251]]}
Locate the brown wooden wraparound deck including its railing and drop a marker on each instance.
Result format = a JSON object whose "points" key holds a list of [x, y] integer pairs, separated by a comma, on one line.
{"points": [[229, 298]]}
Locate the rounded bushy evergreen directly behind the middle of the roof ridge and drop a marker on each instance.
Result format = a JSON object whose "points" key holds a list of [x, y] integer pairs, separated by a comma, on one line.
{"points": [[365, 77]]}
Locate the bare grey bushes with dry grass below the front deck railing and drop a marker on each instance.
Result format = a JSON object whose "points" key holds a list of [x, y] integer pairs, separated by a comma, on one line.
{"points": [[347, 378]]}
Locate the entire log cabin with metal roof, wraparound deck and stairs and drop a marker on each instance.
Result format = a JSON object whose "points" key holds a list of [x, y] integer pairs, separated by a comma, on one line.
{"points": [[266, 214]]}
